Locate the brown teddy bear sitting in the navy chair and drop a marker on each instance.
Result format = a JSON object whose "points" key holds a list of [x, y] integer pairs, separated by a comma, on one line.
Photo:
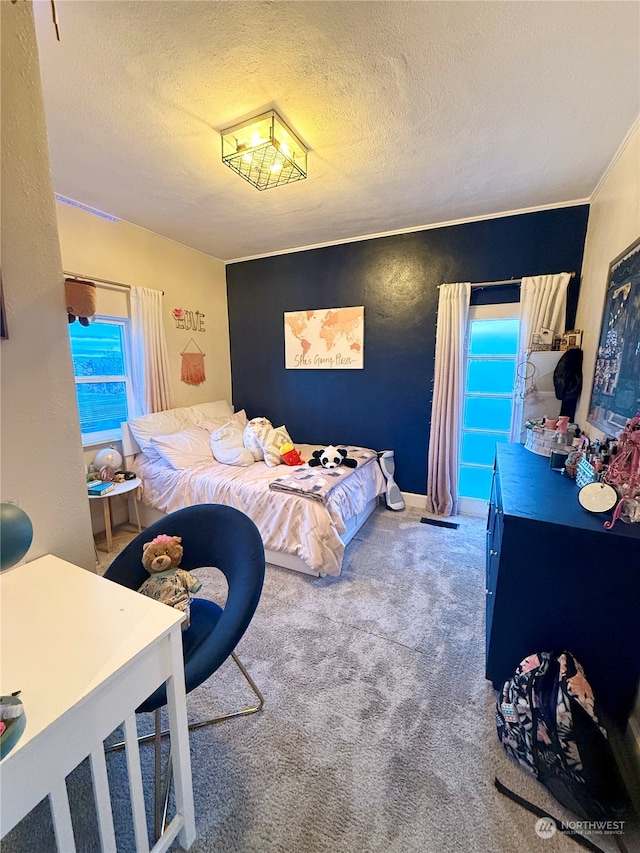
{"points": [[168, 583]]}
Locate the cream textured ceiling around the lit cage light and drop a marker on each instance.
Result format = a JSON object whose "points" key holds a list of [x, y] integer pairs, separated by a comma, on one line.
{"points": [[414, 112]]}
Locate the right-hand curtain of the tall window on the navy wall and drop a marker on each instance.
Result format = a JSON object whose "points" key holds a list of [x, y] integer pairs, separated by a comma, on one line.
{"points": [[543, 305]]}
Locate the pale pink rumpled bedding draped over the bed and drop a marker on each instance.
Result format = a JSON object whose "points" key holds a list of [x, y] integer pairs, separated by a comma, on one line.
{"points": [[290, 524]]}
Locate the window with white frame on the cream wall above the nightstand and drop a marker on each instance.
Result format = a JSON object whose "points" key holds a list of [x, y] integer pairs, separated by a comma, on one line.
{"points": [[100, 355]]}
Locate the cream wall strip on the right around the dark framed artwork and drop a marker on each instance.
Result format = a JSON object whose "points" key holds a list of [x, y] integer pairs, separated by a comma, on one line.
{"points": [[614, 223]]}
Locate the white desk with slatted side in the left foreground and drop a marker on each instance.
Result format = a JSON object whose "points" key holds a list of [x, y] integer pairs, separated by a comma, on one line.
{"points": [[86, 652]]}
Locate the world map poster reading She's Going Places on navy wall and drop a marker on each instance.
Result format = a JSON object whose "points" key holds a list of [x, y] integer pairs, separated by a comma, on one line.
{"points": [[324, 339]]}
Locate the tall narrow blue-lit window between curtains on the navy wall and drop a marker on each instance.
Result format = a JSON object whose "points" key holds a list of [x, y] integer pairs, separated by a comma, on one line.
{"points": [[492, 345]]}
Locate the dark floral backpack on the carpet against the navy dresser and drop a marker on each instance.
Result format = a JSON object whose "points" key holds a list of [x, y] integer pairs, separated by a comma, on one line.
{"points": [[547, 721]]}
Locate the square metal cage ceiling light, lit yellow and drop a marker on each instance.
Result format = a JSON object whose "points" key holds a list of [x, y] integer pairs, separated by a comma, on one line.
{"points": [[264, 151]]}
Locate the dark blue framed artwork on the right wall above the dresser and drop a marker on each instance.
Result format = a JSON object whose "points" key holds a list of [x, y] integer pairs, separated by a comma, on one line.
{"points": [[615, 396]]}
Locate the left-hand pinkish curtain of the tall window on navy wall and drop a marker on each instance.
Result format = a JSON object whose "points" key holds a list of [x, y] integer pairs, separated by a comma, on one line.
{"points": [[448, 395]]}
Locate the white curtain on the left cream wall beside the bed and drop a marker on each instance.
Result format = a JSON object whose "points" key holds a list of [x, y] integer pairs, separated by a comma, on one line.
{"points": [[150, 362]]}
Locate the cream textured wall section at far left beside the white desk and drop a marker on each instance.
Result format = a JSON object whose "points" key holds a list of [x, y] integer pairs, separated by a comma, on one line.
{"points": [[41, 455]]}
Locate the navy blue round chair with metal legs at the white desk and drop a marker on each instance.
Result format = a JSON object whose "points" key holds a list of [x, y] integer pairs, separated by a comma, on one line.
{"points": [[212, 535]]}
